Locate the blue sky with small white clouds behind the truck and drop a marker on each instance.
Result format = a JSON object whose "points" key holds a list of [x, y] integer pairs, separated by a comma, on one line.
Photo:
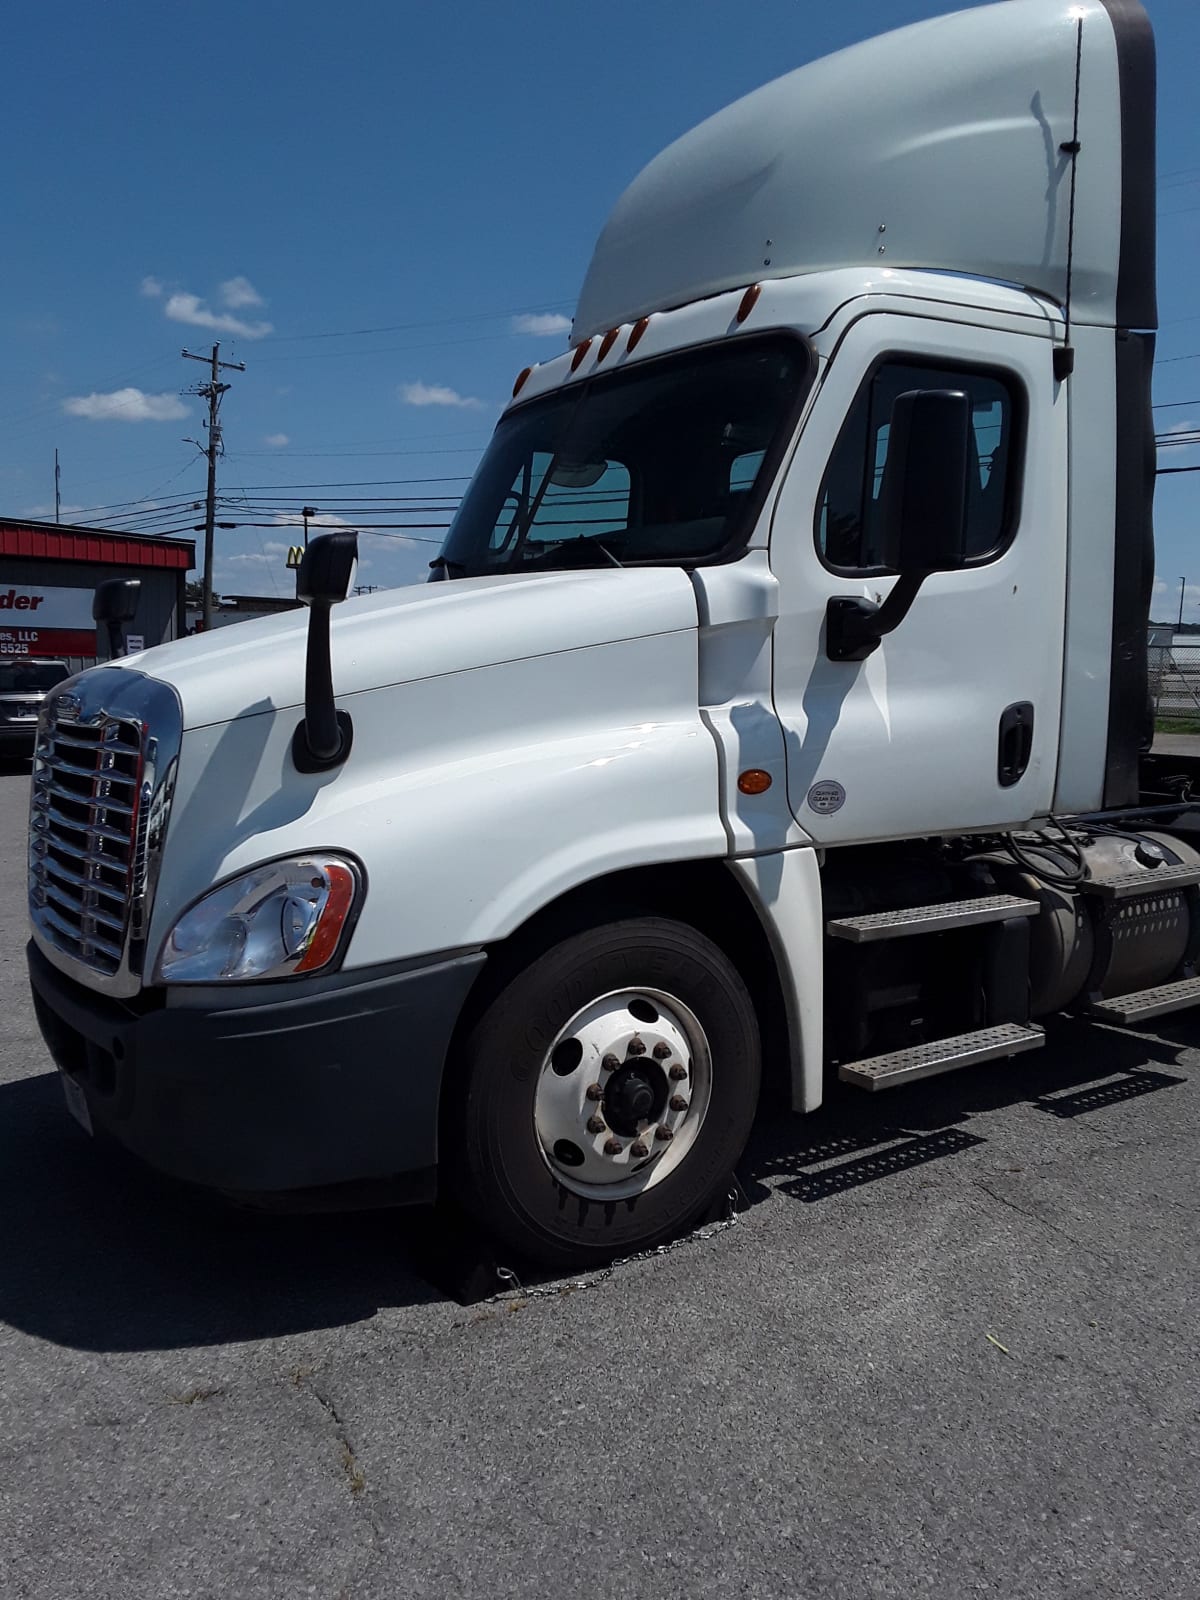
{"points": [[367, 204]]}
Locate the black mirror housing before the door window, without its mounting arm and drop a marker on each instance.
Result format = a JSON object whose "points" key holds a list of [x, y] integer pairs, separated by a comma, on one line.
{"points": [[926, 482]]}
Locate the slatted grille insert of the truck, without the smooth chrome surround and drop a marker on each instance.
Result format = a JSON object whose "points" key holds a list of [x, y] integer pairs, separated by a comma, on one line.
{"points": [[84, 836]]}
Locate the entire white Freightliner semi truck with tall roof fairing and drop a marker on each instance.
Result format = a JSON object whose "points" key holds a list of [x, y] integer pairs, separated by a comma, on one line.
{"points": [[778, 697]]}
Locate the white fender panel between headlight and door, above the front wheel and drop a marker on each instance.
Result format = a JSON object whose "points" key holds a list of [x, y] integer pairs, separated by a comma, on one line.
{"points": [[471, 799]]}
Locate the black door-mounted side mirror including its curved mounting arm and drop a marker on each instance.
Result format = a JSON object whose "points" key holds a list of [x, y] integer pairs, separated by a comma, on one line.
{"points": [[924, 516]]}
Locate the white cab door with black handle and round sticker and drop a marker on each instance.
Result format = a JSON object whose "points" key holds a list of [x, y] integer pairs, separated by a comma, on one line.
{"points": [[953, 722]]}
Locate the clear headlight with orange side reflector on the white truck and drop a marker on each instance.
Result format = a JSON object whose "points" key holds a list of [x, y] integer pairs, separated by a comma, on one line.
{"points": [[281, 919]]}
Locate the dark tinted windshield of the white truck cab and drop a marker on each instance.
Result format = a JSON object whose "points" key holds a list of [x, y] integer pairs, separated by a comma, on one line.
{"points": [[655, 465]]}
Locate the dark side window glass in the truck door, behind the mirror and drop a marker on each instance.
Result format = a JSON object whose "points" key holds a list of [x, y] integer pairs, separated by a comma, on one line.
{"points": [[849, 516]]}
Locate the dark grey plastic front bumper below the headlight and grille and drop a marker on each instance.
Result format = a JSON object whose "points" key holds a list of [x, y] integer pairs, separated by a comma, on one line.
{"points": [[270, 1090]]}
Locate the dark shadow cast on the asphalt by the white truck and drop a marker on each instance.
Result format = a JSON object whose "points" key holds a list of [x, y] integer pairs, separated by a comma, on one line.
{"points": [[100, 1255]]}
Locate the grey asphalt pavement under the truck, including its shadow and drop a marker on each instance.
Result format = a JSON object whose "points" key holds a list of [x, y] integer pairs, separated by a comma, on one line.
{"points": [[950, 1350]]}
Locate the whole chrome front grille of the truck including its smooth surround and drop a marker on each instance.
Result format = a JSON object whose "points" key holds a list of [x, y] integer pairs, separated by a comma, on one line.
{"points": [[103, 777]]}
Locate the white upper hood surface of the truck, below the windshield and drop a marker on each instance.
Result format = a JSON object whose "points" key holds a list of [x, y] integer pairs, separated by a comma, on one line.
{"points": [[428, 631]]}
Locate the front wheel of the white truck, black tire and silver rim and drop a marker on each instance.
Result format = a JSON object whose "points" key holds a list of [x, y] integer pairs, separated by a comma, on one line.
{"points": [[607, 1094]]}
